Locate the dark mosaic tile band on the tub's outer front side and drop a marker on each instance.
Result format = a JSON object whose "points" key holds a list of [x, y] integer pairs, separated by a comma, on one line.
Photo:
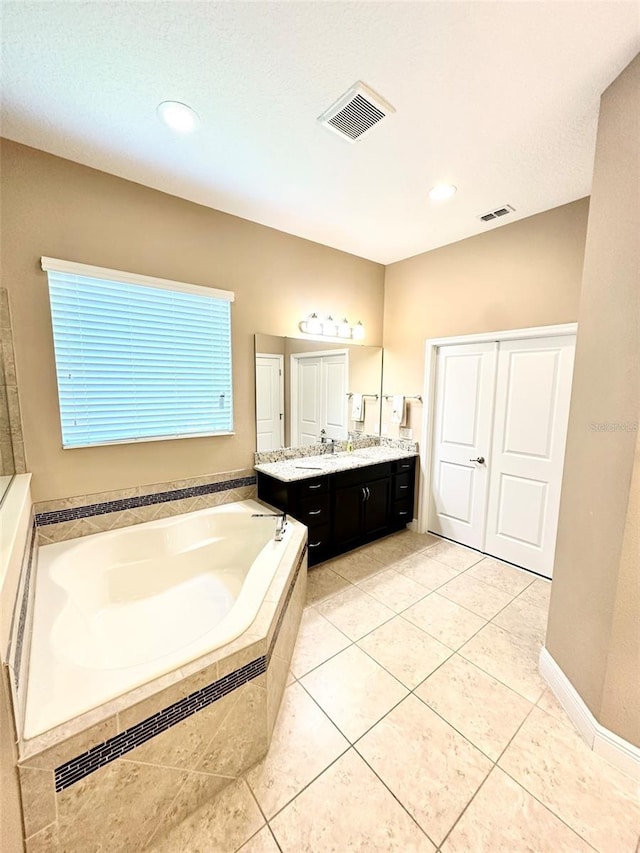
{"points": [[118, 745]]}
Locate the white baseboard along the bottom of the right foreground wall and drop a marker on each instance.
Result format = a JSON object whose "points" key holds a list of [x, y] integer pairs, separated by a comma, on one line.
{"points": [[622, 754]]}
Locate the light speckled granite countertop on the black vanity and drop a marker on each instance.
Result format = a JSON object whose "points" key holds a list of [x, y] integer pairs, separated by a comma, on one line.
{"points": [[304, 467]]}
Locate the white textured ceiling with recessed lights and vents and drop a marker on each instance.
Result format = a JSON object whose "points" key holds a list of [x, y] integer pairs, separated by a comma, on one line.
{"points": [[499, 98]]}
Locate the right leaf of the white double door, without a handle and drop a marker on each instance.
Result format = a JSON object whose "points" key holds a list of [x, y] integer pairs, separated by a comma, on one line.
{"points": [[533, 391]]}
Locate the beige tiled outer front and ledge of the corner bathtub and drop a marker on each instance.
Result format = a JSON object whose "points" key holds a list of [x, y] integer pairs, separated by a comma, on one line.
{"points": [[153, 756]]}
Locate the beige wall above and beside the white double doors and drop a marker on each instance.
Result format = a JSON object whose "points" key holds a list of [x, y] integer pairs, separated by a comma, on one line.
{"points": [[524, 274]]}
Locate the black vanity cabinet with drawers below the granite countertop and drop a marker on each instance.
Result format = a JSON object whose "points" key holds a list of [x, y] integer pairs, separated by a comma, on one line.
{"points": [[346, 509]]}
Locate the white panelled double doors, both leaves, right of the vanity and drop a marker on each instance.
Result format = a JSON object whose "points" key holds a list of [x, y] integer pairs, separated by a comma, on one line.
{"points": [[507, 404]]}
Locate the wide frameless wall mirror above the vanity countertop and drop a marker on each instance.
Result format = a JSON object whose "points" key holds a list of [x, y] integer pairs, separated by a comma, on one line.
{"points": [[306, 386]]}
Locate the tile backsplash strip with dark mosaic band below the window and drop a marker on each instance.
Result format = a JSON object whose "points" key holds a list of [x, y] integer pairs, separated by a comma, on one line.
{"points": [[83, 515]]}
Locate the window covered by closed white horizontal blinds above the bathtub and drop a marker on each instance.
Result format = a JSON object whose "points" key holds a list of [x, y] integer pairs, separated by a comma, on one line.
{"points": [[138, 358]]}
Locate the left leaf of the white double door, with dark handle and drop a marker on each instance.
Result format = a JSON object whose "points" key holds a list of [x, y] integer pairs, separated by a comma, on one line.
{"points": [[465, 382]]}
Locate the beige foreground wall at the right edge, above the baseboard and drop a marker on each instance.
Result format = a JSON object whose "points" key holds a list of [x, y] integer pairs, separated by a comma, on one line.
{"points": [[593, 631]]}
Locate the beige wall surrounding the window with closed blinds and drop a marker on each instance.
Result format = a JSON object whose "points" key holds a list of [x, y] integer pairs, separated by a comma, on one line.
{"points": [[60, 209]]}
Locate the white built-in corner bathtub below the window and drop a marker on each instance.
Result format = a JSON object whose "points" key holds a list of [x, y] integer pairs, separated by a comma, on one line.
{"points": [[115, 610]]}
